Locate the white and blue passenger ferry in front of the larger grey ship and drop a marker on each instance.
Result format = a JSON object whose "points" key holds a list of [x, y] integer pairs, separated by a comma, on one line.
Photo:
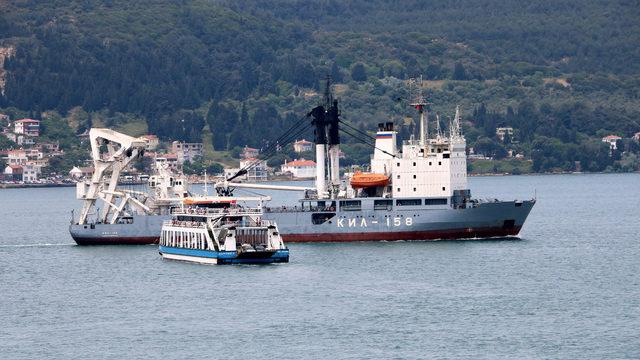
{"points": [[220, 231]]}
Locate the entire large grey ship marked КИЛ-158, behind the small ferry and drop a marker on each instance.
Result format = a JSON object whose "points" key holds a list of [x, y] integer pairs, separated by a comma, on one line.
{"points": [[417, 192]]}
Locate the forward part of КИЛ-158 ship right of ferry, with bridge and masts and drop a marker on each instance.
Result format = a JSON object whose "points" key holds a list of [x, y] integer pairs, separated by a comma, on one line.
{"points": [[418, 193]]}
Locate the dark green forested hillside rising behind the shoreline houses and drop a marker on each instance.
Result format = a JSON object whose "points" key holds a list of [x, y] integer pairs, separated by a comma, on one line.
{"points": [[562, 74]]}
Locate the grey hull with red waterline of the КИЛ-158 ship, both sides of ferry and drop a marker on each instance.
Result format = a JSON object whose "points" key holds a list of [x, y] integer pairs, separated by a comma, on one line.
{"points": [[499, 219]]}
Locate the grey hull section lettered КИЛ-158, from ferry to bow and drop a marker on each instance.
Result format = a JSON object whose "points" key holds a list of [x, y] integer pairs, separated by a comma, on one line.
{"points": [[499, 219]]}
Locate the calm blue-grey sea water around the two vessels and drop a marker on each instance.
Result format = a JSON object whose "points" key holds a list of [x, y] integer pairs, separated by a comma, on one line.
{"points": [[569, 289]]}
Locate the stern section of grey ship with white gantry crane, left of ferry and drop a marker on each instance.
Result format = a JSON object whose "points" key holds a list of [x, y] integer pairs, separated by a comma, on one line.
{"points": [[114, 215]]}
